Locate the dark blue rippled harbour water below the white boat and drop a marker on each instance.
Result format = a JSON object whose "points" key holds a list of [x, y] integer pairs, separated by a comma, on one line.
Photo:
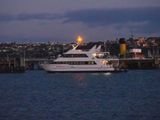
{"points": [[37, 95]]}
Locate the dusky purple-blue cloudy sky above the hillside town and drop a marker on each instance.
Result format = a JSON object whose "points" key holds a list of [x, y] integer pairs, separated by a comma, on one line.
{"points": [[64, 20]]}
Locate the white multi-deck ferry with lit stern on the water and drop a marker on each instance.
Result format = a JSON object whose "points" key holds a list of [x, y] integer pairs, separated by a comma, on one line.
{"points": [[79, 60]]}
